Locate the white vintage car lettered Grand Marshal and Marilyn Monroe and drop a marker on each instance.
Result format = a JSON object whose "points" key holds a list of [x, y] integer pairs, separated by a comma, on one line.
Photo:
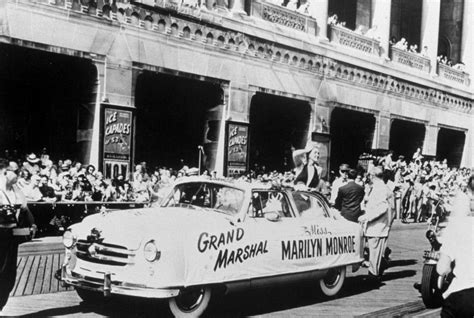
{"points": [[208, 236]]}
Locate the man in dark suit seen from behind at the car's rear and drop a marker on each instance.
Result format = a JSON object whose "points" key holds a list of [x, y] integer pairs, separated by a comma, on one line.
{"points": [[349, 198]]}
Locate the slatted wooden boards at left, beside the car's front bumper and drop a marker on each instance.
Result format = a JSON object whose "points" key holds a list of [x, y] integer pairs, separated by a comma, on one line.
{"points": [[35, 274]]}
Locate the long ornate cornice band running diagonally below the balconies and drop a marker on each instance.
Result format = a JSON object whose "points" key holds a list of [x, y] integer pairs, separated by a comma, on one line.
{"points": [[208, 30]]}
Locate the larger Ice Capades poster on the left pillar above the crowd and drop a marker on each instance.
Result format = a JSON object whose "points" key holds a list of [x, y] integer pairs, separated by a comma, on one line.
{"points": [[117, 138]]}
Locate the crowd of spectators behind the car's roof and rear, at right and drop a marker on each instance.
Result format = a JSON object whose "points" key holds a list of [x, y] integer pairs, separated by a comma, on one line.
{"points": [[420, 186]]}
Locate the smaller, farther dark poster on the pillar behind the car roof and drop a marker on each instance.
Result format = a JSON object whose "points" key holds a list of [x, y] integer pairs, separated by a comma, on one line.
{"points": [[236, 148]]}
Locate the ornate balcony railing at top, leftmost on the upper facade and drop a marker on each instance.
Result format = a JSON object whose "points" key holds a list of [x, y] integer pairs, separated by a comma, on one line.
{"points": [[281, 15]]}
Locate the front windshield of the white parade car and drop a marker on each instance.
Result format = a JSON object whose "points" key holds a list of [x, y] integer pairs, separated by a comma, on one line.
{"points": [[219, 197]]}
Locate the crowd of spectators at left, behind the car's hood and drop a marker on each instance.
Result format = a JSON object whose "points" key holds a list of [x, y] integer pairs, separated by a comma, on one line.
{"points": [[43, 180]]}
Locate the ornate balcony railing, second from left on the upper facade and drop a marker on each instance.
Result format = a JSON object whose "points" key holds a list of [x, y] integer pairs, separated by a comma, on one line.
{"points": [[345, 37]]}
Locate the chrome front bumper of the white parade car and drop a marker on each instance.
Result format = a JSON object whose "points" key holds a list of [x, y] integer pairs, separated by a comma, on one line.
{"points": [[108, 287]]}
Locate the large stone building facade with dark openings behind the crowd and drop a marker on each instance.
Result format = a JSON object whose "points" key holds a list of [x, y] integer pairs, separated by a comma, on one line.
{"points": [[232, 84]]}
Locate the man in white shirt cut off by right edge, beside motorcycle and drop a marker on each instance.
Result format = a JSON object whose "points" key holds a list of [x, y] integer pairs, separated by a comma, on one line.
{"points": [[458, 247]]}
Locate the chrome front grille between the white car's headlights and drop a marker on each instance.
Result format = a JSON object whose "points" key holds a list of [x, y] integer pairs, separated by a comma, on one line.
{"points": [[103, 253]]}
